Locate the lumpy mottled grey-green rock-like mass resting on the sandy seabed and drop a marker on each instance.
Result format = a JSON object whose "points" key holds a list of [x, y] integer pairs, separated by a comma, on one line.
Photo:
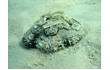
{"points": [[53, 32]]}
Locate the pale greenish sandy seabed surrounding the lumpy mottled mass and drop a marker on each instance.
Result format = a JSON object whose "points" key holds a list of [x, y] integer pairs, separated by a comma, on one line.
{"points": [[86, 54]]}
